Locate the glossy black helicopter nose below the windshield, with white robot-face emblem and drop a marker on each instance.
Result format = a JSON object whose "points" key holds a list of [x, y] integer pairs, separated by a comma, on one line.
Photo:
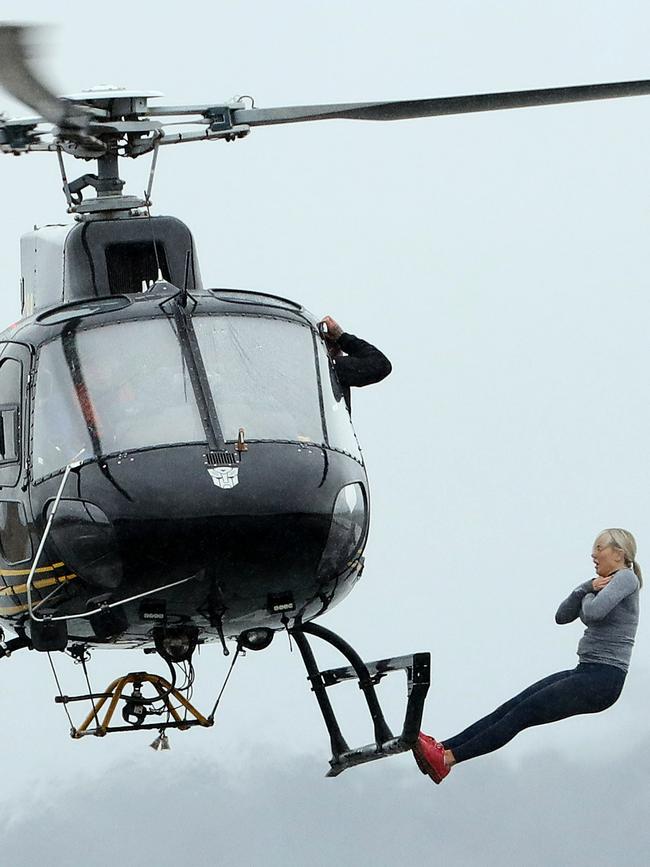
{"points": [[165, 515]]}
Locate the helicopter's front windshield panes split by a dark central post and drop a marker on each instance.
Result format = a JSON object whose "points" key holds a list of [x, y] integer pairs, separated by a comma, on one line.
{"points": [[113, 387]]}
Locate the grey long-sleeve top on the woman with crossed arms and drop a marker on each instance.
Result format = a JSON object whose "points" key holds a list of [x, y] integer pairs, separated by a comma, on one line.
{"points": [[611, 617]]}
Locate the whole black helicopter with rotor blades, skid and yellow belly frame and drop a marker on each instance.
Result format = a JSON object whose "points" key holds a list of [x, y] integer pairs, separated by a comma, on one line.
{"points": [[177, 463]]}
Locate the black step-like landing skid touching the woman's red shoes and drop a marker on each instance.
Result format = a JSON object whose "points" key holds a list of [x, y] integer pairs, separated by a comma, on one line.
{"points": [[417, 667]]}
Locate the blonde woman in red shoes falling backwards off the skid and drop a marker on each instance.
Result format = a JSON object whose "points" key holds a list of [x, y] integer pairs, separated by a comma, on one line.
{"points": [[608, 605]]}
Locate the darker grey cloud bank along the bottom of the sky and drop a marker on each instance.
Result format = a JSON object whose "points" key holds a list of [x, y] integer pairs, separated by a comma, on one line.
{"points": [[541, 811]]}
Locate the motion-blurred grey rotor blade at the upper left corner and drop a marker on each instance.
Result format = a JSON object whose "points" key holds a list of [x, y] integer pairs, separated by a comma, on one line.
{"points": [[19, 78]]}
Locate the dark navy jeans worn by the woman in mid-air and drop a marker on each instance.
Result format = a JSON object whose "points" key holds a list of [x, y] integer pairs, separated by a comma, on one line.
{"points": [[589, 688]]}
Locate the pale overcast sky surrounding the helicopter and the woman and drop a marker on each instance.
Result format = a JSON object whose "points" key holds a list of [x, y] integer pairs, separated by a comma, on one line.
{"points": [[501, 261]]}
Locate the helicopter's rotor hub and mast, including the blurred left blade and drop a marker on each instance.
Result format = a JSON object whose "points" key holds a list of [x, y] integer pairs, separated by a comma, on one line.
{"points": [[103, 123]]}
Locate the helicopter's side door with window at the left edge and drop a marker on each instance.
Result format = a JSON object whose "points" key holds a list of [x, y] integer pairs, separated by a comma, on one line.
{"points": [[15, 541]]}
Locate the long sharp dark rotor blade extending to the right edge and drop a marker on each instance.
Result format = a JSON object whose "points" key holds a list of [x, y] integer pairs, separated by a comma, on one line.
{"points": [[443, 105]]}
